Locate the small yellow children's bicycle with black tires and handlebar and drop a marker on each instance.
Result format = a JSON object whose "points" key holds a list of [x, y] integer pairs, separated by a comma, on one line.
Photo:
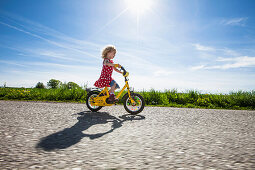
{"points": [[133, 102]]}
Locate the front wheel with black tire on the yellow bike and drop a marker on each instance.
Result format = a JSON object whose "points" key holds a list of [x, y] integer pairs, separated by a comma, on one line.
{"points": [[134, 109]]}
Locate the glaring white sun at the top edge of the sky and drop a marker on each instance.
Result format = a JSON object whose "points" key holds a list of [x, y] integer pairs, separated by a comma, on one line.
{"points": [[139, 6]]}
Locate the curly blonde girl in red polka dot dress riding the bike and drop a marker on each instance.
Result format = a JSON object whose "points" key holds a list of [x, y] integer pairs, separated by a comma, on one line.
{"points": [[106, 79]]}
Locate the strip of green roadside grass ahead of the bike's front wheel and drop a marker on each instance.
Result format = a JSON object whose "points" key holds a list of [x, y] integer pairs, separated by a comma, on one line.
{"points": [[194, 99]]}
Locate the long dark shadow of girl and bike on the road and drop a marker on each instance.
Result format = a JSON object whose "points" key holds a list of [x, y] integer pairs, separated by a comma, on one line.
{"points": [[70, 136]]}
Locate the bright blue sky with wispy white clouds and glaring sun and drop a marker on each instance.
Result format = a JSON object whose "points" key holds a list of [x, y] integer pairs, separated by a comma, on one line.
{"points": [[204, 45]]}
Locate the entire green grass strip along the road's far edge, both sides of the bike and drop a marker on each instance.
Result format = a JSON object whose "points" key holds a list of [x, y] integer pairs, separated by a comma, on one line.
{"points": [[170, 98]]}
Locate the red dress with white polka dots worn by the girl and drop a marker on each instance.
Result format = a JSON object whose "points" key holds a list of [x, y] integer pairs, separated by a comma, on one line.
{"points": [[106, 76]]}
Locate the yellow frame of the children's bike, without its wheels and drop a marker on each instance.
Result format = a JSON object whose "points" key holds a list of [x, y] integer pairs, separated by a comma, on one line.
{"points": [[101, 100]]}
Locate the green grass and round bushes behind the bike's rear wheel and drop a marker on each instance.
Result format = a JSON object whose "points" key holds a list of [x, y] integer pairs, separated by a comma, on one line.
{"points": [[55, 91]]}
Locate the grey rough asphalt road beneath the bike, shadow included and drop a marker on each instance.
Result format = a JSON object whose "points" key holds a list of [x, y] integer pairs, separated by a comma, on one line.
{"points": [[41, 135]]}
